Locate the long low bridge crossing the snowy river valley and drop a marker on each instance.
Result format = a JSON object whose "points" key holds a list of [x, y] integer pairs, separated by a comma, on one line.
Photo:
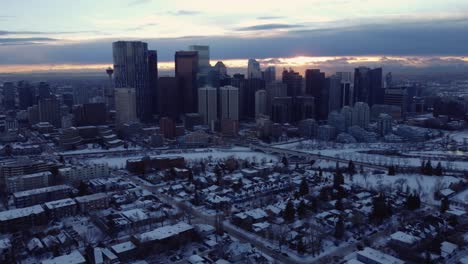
{"points": [[311, 156]]}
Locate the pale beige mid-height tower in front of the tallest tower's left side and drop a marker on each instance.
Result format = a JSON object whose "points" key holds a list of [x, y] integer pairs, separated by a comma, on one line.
{"points": [[125, 106]]}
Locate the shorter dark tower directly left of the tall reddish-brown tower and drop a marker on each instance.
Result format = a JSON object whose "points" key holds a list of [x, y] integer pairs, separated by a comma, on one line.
{"points": [[169, 102]]}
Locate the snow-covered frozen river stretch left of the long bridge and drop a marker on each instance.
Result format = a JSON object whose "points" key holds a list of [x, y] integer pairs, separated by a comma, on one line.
{"points": [[193, 155]]}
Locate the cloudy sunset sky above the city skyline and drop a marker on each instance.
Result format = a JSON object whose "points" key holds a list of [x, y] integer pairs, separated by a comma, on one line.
{"points": [[55, 35]]}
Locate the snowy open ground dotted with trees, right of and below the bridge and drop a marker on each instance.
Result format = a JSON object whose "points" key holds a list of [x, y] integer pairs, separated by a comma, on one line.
{"points": [[425, 185]]}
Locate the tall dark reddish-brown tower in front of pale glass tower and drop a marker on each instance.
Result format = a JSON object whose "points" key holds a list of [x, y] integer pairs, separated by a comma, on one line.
{"points": [[186, 69]]}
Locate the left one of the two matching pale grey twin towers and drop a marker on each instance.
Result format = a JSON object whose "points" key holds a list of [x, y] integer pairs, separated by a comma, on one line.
{"points": [[208, 105]]}
